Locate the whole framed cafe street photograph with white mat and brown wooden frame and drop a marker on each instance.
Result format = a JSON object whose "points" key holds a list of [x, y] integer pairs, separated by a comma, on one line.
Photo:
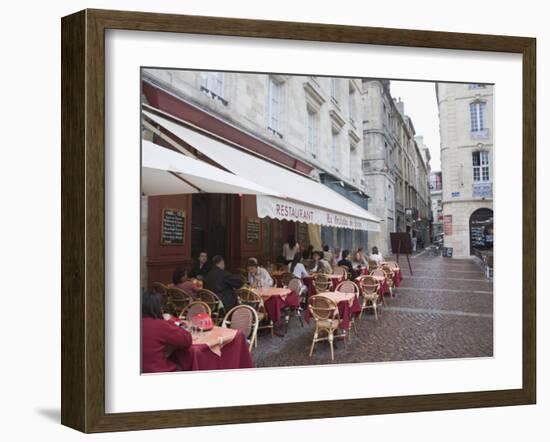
{"points": [[230, 191]]}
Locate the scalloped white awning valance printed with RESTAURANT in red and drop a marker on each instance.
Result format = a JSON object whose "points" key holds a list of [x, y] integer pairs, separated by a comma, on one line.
{"points": [[293, 211]]}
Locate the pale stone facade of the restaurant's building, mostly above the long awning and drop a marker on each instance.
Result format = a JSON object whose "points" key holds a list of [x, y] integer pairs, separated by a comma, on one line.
{"points": [[314, 119]]}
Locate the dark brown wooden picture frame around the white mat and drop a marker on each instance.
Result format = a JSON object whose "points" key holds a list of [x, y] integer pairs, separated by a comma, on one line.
{"points": [[83, 219]]}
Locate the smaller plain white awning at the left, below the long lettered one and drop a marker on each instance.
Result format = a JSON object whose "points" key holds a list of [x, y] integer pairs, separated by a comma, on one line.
{"points": [[165, 172]]}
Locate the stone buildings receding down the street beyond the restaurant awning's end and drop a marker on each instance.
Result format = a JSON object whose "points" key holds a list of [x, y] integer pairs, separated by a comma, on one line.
{"points": [[396, 168]]}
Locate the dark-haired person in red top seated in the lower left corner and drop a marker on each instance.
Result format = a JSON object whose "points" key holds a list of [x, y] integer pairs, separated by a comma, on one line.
{"points": [[159, 338]]}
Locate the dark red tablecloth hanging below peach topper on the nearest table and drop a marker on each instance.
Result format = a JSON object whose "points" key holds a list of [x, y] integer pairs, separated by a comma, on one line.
{"points": [[234, 354]]}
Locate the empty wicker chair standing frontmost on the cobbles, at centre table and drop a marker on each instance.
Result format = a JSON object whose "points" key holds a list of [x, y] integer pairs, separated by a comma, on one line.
{"points": [[325, 313]]}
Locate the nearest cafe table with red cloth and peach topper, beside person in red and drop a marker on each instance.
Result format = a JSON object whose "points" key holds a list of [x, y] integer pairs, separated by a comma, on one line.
{"points": [[216, 349]]}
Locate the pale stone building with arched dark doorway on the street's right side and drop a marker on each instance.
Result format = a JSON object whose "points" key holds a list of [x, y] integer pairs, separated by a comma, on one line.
{"points": [[466, 129]]}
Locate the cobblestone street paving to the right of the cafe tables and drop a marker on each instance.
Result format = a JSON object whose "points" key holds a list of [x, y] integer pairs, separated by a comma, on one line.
{"points": [[444, 311]]}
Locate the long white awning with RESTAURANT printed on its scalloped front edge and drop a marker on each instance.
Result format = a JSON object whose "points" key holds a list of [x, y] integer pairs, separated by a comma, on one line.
{"points": [[298, 197]]}
